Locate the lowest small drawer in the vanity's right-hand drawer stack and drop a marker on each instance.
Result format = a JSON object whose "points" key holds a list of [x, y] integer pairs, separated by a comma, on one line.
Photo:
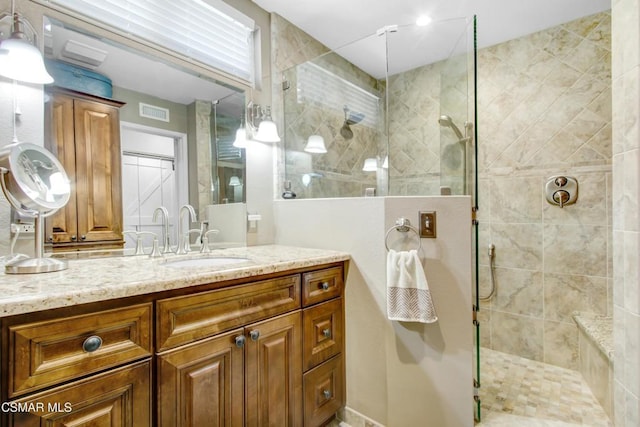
{"points": [[324, 391]]}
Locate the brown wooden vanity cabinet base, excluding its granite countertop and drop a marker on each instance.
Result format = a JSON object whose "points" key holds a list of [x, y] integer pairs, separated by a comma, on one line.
{"points": [[248, 353]]}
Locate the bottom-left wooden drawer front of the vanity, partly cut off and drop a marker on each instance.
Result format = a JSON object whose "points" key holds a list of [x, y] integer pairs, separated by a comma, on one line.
{"points": [[119, 398]]}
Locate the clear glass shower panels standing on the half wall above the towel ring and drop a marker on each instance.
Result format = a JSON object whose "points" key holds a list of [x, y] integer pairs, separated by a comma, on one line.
{"points": [[393, 113]]}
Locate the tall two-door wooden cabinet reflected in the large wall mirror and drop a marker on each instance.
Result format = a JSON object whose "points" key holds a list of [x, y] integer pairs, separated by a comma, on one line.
{"points": [[84, 133]]}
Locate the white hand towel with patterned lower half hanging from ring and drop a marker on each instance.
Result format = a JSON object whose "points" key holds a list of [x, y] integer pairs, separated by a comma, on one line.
{"points": [[408, 295]]}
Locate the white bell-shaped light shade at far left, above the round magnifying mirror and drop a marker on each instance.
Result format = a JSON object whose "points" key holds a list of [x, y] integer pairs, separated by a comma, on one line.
{"points": [[19, 59]]}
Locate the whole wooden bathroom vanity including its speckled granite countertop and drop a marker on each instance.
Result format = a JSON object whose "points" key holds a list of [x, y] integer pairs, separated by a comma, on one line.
{"points": [[135, 341]]}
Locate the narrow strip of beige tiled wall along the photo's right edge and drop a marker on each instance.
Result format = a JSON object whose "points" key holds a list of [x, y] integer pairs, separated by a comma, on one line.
{"points": [[626, 195]]}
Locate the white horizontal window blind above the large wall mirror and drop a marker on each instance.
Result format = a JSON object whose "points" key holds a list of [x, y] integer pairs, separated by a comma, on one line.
{"points": [[208, 31]]}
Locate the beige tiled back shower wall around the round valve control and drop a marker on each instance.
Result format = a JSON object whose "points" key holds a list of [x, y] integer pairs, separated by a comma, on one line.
{"points": [[544, 107]]}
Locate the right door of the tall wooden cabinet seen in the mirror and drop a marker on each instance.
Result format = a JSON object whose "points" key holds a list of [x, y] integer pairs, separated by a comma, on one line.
{"points": [[98, 176]]}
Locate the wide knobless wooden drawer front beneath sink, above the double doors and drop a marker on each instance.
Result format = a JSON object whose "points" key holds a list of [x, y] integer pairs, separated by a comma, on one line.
{"points": [[188, 318]]}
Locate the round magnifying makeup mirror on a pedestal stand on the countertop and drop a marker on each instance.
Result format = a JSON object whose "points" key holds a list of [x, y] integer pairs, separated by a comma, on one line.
{"points": [[36, 185]]}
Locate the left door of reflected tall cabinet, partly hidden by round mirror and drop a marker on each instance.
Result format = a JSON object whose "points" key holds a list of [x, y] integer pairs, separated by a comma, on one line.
{"points": [[62, 226]]}
